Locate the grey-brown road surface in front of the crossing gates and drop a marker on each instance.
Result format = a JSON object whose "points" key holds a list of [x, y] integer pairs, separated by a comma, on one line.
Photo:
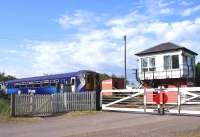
{"points": [[104, 124]]}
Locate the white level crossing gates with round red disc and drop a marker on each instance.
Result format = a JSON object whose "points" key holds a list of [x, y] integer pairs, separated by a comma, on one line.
{"points": [[181, 101]]}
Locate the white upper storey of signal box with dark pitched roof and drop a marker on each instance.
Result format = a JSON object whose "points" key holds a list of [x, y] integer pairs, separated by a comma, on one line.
{"points": [[167, 63]]}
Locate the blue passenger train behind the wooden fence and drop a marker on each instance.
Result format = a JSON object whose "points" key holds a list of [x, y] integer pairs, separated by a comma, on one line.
{"points": [[80, 81]]}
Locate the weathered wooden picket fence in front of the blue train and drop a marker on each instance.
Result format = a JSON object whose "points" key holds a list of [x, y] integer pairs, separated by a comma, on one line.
{"points": [[46, 105]]}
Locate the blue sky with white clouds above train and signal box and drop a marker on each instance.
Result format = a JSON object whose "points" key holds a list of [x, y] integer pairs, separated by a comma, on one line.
{"points": [[40, 37]]}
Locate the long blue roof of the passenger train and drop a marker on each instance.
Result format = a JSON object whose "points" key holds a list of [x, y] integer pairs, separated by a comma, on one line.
{"points": [[50, 77]]}
